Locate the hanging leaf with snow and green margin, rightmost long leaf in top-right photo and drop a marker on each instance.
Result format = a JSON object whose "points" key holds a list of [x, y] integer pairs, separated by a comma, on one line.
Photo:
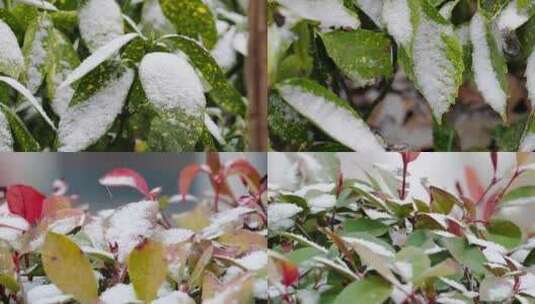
{"points": [[488, 64]]}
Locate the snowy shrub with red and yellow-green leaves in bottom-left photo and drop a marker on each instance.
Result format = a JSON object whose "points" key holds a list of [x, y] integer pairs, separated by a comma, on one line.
{"points": [[53, 250]]}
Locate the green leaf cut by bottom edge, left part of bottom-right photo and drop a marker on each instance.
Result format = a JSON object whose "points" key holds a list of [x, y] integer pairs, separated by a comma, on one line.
{"points": [[370, 290]]}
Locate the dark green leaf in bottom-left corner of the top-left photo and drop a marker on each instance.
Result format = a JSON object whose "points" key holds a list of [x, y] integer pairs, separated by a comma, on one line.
{"points": [[23, 139]]}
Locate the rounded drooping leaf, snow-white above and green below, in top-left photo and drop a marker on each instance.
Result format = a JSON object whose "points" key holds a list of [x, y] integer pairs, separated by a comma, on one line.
{"points": [[175, 91]]}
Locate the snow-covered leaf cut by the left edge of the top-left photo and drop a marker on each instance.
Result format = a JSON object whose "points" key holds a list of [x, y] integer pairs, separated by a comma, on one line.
{"points": [[11, 59]]}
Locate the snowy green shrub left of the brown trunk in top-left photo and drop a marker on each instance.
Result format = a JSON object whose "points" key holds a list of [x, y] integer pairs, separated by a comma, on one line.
{"points": [[106, 75]]}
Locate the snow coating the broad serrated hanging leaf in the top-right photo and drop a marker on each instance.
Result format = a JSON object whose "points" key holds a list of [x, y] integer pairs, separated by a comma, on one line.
{"points": [[433, 70]]}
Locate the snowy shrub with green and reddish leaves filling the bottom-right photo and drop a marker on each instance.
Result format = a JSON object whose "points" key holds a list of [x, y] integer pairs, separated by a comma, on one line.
{"points": [[339, 240]]}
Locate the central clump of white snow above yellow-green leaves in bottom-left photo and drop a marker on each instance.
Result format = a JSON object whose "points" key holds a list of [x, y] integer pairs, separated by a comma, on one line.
{"points": [[130, 225]]}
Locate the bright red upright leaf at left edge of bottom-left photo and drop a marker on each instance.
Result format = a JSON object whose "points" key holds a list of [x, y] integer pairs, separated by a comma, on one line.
{"points": [[25, 201]]}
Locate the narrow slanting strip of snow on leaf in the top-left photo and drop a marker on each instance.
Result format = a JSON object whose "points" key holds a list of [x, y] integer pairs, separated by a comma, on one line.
{"points": [[99, 56]]}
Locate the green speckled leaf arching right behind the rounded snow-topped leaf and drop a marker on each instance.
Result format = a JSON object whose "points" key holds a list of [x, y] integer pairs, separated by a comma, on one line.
{"points": [[222, 92]]}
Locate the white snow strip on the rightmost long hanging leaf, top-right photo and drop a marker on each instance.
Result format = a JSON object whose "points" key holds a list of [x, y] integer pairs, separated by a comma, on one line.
{"points": [[485, 76]]}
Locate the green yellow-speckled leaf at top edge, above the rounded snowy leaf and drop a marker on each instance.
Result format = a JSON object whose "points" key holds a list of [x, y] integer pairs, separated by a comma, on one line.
{"points": [[191, 18]]}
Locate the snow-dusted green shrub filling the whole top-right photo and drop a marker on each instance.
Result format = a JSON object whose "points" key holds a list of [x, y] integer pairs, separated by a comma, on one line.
{"points": [[401, 75]]}
